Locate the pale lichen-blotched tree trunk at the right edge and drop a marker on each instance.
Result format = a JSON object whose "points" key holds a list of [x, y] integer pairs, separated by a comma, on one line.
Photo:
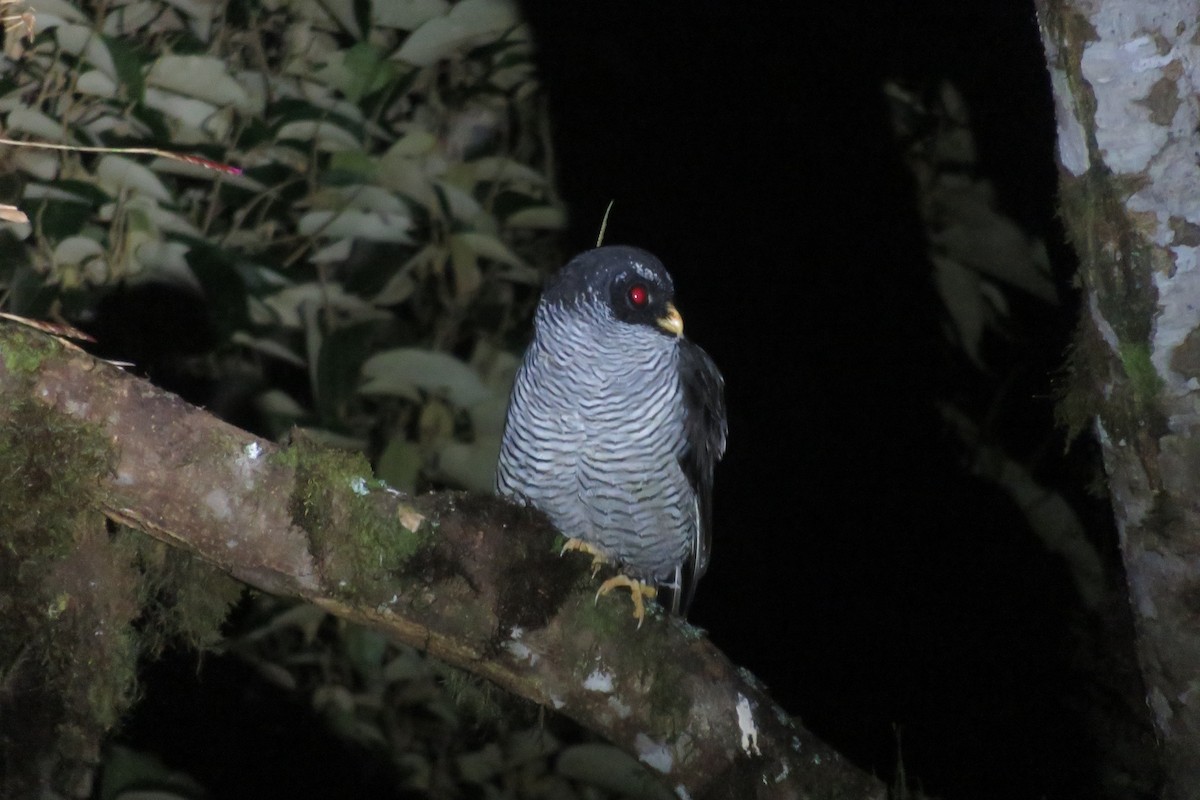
{"points": [[1126, 80]]}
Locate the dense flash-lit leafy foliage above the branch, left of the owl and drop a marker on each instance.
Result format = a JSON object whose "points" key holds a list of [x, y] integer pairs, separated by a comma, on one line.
{"points": [[393, 199]]}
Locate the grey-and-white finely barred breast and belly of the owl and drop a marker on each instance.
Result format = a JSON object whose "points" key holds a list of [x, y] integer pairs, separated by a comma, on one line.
{"points": [[595, 436]]}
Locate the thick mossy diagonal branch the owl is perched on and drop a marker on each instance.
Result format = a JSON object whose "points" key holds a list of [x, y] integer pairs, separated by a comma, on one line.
{"points": [[472, 580]]}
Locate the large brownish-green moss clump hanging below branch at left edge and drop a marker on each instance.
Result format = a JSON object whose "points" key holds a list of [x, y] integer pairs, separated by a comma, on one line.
{"points": [[68, 597]]}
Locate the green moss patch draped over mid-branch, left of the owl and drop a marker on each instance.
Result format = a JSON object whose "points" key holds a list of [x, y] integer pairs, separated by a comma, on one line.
{"points": [[358, 548]]}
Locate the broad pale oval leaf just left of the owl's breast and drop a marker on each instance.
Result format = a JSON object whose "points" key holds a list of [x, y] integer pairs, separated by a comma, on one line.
{"points": [[406, 372]]}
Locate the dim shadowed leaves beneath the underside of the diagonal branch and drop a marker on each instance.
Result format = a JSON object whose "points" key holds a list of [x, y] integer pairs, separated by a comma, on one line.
{"points": [[446, 732]]}
